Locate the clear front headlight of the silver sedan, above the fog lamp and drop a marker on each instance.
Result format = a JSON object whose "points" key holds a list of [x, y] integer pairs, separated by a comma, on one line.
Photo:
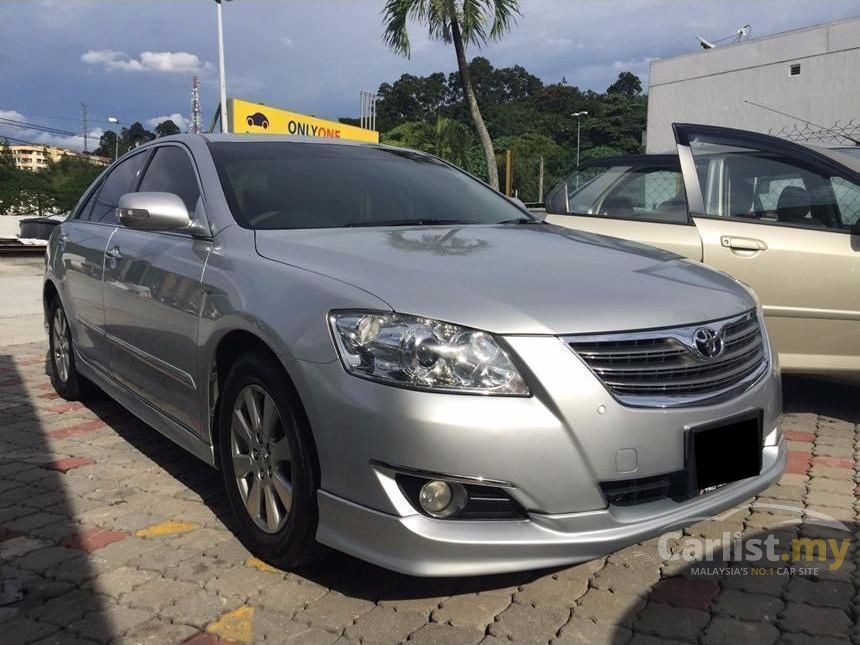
{"points": [[424, 354]]}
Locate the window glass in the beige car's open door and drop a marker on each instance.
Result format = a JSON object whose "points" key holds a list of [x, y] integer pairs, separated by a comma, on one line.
{"points": [[770, 187]]}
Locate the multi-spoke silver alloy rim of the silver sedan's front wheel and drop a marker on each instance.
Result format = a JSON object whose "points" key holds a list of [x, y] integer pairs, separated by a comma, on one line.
{"points": [[260, 451]]}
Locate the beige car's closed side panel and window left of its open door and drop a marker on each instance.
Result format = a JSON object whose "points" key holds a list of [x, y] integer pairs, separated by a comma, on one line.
{"points": [[639, 200]]}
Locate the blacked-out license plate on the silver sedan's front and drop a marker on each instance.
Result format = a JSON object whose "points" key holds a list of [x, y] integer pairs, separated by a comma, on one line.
{"points": [[723, 452]]}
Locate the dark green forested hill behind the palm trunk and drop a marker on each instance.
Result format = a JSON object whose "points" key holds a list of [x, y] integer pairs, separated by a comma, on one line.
{"points": [[523, 114]]}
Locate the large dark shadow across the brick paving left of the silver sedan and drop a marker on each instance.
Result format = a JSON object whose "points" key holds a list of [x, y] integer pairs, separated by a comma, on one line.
{"points": [[45, 555]]}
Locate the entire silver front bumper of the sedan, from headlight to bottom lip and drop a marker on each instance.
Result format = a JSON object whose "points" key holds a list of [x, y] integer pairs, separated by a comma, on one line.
{"points": [[554, 447]]}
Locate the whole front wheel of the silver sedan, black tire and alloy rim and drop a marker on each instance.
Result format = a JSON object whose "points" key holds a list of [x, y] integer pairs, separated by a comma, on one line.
{"points": [[267, 463]]}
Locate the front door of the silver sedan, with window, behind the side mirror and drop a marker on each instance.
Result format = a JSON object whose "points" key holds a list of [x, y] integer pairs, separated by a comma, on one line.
{"points": [[153, 293]]}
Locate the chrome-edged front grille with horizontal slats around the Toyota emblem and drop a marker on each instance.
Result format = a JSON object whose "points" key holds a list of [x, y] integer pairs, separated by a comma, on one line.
{"points": [[665, 367]]}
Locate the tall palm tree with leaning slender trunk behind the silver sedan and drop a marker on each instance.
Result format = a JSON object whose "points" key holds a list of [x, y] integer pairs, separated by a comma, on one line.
{"points": [[460, 22]]}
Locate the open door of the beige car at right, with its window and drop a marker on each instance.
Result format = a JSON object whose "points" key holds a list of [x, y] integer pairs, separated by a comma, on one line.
{"points": [[783, 219]]}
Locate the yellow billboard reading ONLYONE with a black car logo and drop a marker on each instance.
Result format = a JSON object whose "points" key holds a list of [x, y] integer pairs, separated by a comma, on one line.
{"points": [[256, 118]]}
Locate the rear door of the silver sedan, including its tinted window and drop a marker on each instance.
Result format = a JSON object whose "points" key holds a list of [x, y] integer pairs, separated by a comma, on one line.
{"points": [[81, 246]]}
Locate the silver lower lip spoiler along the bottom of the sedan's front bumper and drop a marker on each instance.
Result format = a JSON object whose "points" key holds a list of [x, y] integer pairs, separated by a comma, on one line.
{"points": [[422, 546]]}
